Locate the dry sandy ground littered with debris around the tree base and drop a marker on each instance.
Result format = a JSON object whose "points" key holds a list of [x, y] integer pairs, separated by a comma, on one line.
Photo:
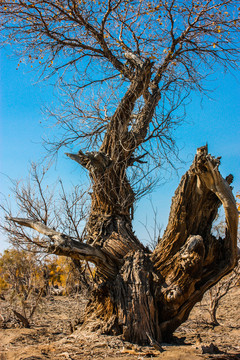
{"points": [[50, 336]]}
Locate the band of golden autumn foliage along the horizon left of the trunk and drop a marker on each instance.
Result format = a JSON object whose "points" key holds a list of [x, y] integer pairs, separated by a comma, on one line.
{"points": [[21, 270]]}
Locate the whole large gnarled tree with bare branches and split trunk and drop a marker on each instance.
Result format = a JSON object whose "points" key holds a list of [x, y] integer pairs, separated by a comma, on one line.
{"points": [[125, 67]]}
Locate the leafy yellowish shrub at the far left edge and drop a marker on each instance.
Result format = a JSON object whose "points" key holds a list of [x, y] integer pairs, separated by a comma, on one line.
{"points": [[22, 284]]}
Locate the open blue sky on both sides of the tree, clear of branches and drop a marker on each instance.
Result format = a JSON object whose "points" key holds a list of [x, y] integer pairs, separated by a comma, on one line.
{"points": [[22, 127]]}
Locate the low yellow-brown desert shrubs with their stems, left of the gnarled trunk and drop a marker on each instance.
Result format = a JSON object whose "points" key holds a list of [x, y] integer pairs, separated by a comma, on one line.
{"points": [[27, 280]]}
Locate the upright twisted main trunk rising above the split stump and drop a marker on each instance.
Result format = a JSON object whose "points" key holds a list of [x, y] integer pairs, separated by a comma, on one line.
{"points": [[110, 221]]}
